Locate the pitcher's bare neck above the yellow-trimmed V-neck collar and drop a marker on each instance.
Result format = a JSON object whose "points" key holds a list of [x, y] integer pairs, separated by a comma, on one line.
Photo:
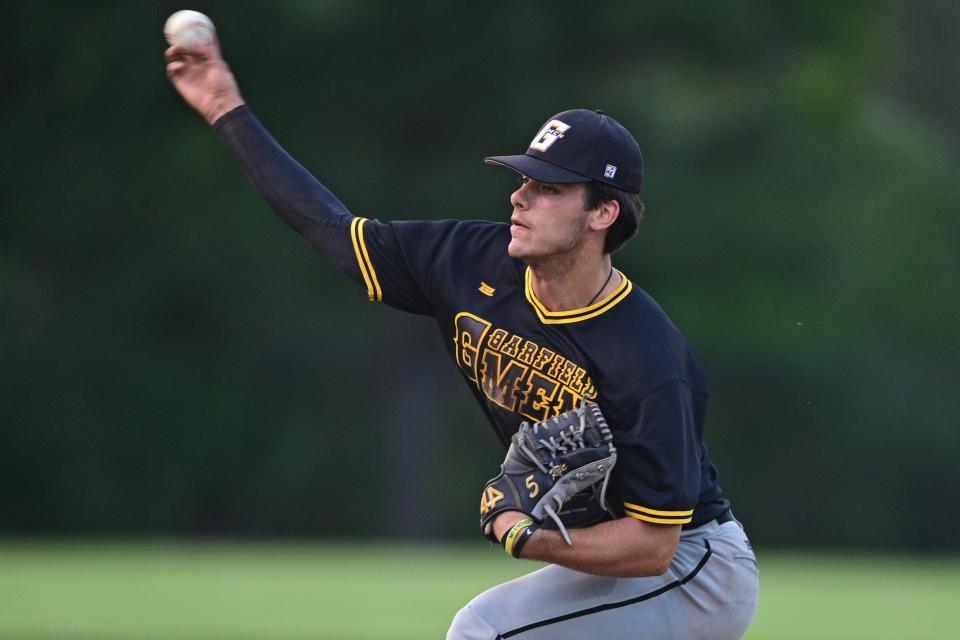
{"points": [[569, 285]]}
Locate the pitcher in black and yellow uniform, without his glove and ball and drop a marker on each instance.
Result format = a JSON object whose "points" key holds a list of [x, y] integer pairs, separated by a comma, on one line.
{"points": [[537, 319]]}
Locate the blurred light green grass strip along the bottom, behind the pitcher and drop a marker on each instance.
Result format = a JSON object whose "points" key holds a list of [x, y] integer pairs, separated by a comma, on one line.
{"points": [[187, 591]]}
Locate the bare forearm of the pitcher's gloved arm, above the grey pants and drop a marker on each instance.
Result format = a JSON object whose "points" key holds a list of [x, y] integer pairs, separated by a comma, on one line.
{"points": [[620, 548]]}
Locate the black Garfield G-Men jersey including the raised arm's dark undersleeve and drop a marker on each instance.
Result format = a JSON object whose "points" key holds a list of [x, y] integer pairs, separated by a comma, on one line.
{"points": [[521, 361]]}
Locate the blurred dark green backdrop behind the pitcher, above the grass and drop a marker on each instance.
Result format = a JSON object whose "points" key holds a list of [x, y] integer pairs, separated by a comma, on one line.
{"points": [[175, 362]]}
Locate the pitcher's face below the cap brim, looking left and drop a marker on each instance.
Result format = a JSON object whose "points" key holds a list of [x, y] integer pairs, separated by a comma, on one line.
{"points": [[548, 219]]}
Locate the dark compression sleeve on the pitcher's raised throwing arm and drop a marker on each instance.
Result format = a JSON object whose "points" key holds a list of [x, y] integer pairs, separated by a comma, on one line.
{"points": [[296, 196]]}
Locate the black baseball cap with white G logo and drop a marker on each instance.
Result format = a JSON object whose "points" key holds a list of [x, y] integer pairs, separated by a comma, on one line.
{"points": [[580, 145]]}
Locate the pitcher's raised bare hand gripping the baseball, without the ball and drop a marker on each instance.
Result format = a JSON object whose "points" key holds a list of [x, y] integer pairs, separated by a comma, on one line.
{"points": [[203, 79]]}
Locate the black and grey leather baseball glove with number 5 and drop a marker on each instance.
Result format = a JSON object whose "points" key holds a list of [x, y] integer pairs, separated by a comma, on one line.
{"points": [[566, 459]]}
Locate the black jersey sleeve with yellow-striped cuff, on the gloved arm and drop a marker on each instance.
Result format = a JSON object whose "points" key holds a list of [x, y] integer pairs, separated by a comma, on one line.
{"points": [[658, 462]]}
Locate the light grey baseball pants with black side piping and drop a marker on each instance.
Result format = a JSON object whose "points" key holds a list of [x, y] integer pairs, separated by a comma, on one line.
{"points": [[710, 592]]}
